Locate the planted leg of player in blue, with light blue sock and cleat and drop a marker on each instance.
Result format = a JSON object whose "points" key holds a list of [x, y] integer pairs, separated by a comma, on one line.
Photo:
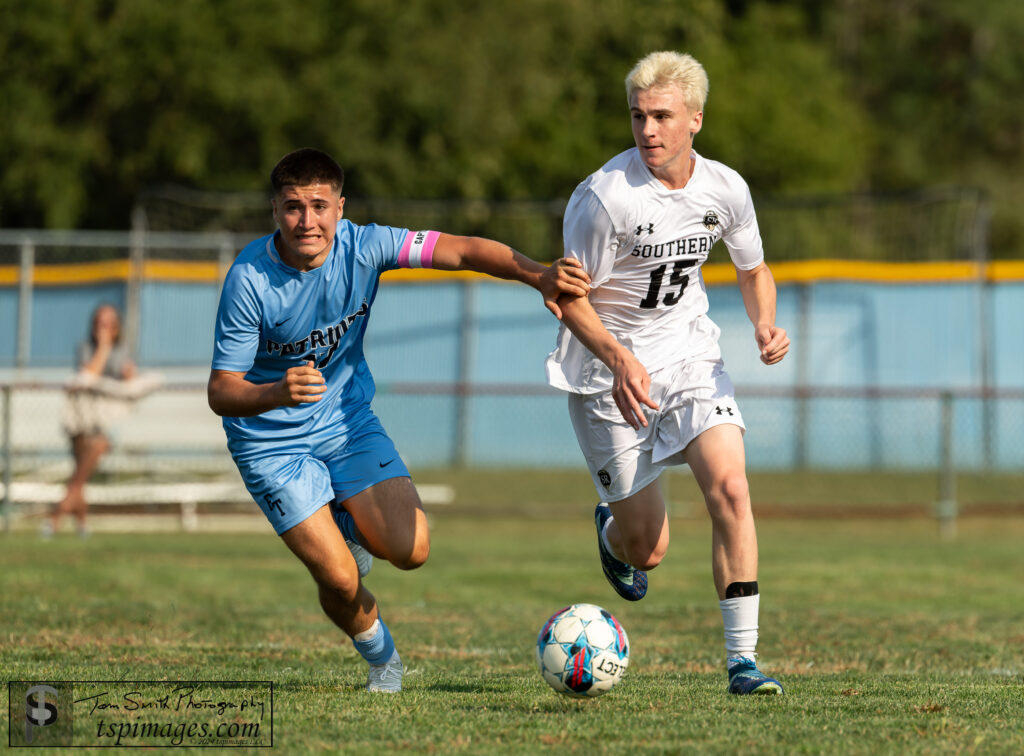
{"points": [[321, 547]]}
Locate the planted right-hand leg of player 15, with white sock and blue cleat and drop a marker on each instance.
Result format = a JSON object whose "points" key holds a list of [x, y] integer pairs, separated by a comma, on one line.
{"points": [[718, 461]]}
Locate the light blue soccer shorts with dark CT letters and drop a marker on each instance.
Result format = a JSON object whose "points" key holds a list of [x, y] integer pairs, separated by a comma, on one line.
{"points": [[290, 483]]}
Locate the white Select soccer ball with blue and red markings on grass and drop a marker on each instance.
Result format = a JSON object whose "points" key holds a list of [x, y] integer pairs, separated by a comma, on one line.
{"points": [[583, 651]]}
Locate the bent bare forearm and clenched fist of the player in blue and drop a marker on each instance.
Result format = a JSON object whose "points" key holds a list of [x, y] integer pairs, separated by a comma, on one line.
{"points": [[231, 395]]}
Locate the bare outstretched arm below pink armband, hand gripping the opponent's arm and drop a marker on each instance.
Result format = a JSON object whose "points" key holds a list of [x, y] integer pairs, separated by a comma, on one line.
{"points": [[565, 277]]}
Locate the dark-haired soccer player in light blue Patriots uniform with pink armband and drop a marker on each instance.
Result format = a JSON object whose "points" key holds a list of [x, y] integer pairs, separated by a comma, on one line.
{"points": [[291, 383]]}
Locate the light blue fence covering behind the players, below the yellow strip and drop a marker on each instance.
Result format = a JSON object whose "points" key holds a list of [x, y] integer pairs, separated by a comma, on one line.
{"points": [[914, 337]]}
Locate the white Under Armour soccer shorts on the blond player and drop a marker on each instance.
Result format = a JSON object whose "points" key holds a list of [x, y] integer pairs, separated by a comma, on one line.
{"points": [[693, 397]]}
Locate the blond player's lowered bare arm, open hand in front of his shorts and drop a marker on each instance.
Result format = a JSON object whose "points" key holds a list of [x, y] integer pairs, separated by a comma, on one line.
{"points": [[631, 382]]}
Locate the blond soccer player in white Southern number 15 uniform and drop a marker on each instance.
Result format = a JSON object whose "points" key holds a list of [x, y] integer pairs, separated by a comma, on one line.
{"points": [[641, 357]]}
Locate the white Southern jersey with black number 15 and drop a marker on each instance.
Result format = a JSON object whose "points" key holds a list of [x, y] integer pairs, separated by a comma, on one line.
{"points": [[644, 245]]}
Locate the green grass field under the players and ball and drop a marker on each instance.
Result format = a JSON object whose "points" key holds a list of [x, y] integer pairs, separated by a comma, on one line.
{"points": [[889, 639]]}
